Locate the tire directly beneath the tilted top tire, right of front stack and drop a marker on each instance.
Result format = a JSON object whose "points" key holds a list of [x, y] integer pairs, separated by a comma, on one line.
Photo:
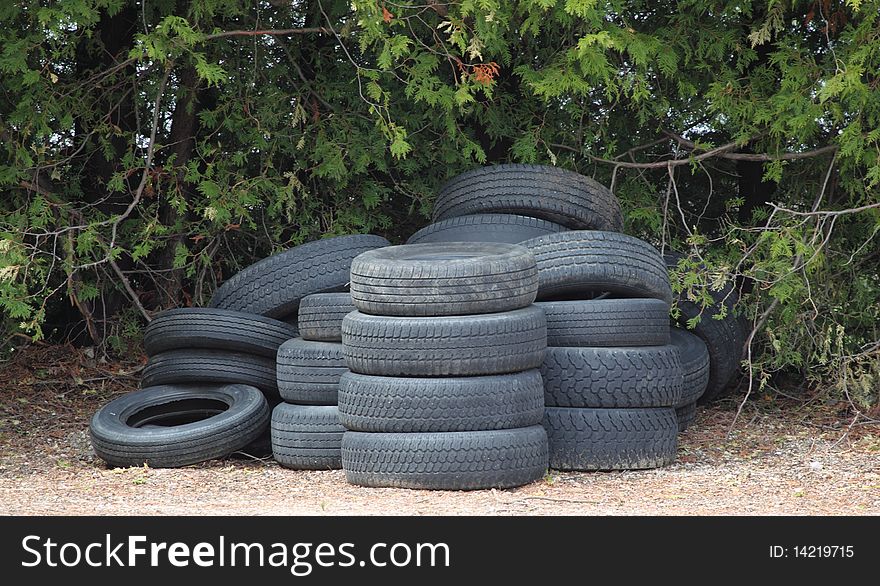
{"points": [[607, 322]]}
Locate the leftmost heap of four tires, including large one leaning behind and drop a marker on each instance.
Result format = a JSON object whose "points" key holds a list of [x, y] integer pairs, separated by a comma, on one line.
{"points": [[210, 382]]}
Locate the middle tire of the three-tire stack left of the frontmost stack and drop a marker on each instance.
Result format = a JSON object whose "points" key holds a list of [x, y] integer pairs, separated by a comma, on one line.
{"points": [[308, 372]]}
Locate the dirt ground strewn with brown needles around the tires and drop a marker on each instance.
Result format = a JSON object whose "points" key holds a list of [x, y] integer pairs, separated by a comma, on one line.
{"points": [[793, 459]]}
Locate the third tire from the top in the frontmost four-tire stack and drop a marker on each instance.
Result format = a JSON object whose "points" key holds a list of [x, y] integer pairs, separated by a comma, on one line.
{"points": [[407, 405]]}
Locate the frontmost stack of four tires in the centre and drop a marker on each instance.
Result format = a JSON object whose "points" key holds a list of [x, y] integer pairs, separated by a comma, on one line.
{"points": [[444, 391]]}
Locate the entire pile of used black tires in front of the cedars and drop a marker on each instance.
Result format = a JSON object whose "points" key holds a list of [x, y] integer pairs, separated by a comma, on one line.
{"points": [[520, 331]]}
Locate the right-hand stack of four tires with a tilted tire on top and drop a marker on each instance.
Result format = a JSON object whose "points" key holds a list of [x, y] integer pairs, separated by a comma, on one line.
{"points": [[611, 377]]}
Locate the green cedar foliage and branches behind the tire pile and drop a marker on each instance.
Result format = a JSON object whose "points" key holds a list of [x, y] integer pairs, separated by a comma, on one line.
{"points": [[146, 153]]}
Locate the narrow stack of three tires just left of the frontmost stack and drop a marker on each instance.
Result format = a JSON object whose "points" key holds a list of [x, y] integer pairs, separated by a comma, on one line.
{"points": [[306, 433]]}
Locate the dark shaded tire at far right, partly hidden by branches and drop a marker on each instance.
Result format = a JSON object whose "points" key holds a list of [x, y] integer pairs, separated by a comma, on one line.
{"points": [[724, 338]]}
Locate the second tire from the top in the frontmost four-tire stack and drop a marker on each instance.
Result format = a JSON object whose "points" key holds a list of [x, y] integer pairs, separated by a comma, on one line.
{"points": [[491, 343]]}
